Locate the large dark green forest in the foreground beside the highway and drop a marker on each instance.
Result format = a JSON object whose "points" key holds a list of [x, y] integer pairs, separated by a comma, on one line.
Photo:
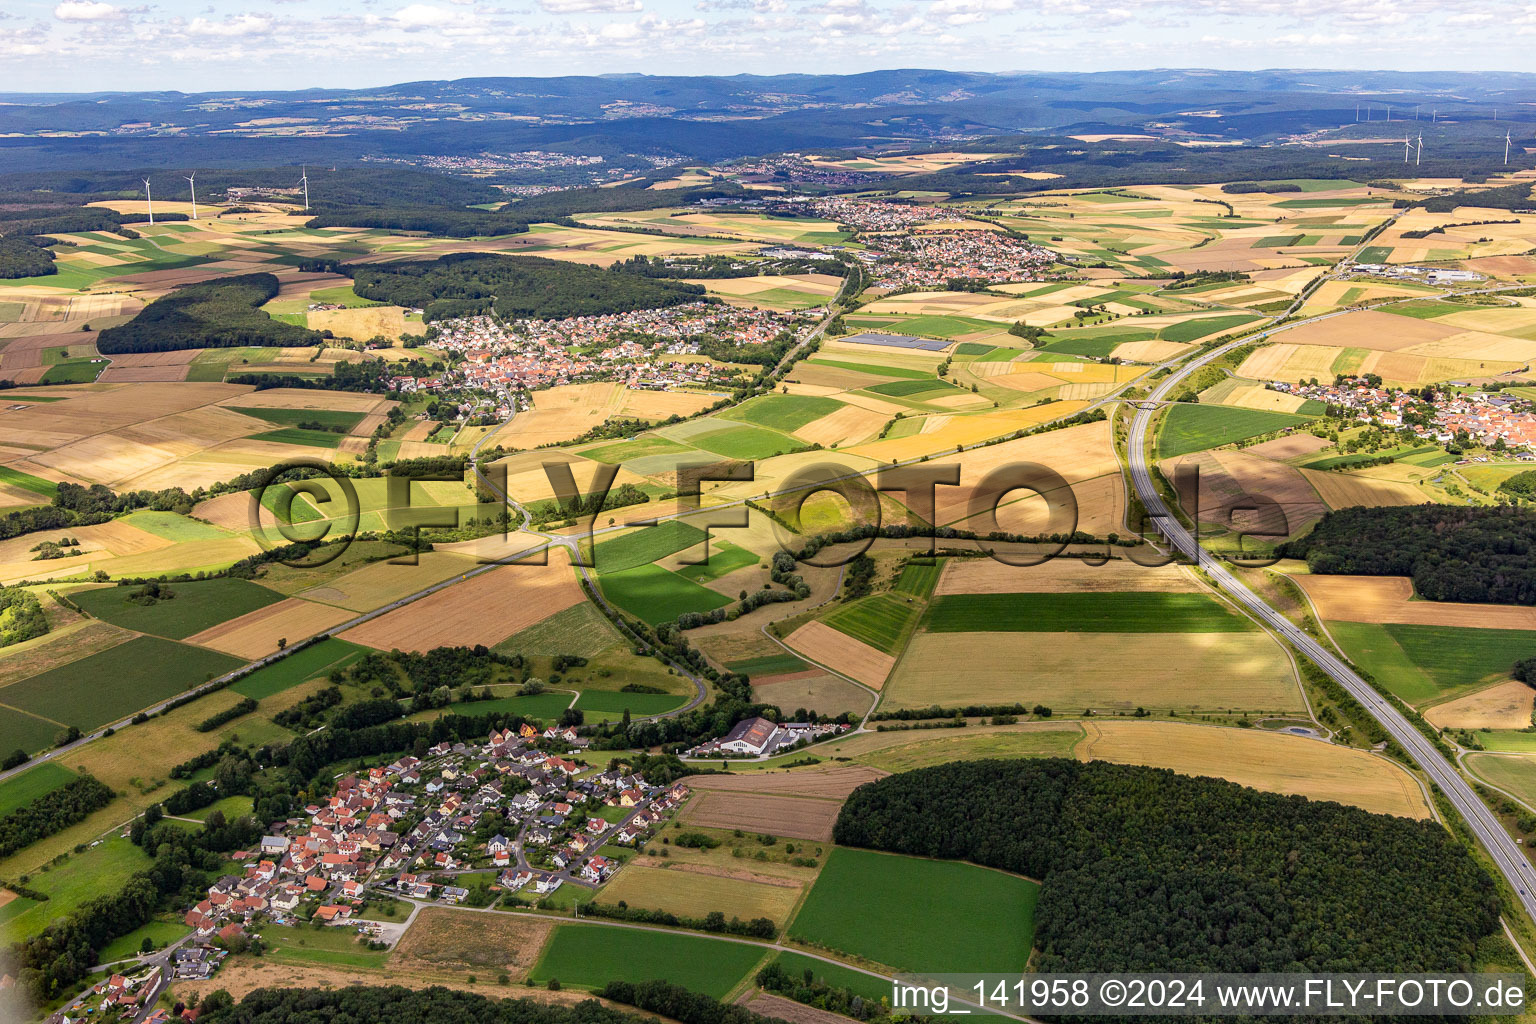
{"points": [[1151, 871]]}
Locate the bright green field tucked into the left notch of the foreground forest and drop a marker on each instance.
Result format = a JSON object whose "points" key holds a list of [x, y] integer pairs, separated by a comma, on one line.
{"points": [[916, 914]]}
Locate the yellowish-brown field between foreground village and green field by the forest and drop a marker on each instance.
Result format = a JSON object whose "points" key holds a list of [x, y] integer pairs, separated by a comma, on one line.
{"points": [[697, 891]]}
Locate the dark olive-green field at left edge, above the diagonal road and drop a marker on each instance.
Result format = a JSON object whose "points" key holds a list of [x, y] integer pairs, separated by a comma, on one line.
{"points": [[118, 682]]}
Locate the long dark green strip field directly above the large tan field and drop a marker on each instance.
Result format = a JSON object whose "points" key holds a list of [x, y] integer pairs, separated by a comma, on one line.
{"points": [[1131, 612]]}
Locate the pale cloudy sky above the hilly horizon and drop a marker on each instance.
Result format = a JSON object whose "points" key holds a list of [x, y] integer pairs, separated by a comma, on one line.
{"points": [[96, 45]]}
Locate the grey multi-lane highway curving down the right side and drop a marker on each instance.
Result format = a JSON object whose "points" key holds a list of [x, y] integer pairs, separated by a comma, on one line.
{"points": [[1508, 856]]}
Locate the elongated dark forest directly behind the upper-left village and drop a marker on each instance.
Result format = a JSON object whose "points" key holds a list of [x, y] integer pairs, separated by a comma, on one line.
{"points": [[466, 285]]}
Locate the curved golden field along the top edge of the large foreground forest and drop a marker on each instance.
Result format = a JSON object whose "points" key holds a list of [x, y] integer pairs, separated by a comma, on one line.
{"points": [[1273, 762]]}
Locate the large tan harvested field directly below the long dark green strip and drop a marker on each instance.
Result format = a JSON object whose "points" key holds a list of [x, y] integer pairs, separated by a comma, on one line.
{"points": [[1105, 672]]}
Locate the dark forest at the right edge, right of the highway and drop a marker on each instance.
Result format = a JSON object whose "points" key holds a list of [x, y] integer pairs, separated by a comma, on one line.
{"points": [[1478, 555]]}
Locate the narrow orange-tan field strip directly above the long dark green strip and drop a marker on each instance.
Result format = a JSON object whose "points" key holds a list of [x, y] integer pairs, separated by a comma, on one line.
{"points": [[1062, 575]]}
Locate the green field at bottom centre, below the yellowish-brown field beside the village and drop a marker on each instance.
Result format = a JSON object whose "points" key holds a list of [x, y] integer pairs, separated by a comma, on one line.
{"points": [[592, 956]]}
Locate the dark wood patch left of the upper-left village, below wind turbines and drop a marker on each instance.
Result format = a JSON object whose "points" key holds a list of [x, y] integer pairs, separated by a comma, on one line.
{"points": [[208, 315]]}
